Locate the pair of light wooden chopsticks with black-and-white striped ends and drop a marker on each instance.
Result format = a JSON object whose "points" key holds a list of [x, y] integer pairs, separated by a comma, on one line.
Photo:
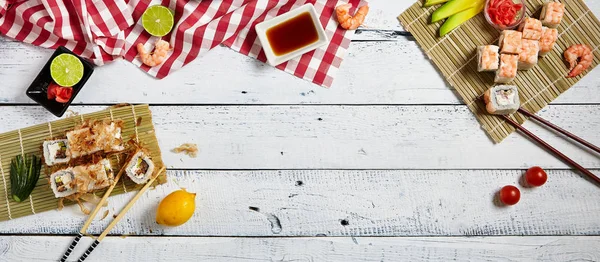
{"points": [[113, 223]]}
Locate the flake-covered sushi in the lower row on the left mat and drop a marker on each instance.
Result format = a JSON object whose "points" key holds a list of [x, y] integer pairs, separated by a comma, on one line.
{"points": [[93, 177]]}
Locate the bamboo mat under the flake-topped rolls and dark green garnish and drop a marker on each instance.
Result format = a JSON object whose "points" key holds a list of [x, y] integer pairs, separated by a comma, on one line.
{"points": [[137, 125]]}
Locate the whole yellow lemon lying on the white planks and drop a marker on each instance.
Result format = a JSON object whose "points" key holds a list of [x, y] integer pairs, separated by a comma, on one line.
{"points": [[176, 208]]}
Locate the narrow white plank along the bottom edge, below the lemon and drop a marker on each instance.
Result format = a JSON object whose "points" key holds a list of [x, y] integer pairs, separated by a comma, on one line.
{"points": [[543, 248]]}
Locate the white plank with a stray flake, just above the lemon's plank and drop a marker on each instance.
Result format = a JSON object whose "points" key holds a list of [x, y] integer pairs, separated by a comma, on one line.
{"points": [[346, 137]]}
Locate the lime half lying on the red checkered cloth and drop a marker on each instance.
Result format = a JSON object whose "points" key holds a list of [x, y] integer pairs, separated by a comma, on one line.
{"points": [[158, 20]]}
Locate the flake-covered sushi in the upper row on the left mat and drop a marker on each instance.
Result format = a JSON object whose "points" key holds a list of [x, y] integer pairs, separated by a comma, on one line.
{"points": [[95, 137]]}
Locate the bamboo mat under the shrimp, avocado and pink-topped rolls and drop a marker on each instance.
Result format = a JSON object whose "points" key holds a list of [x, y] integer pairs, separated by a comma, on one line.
{"points": [[455, 57]]}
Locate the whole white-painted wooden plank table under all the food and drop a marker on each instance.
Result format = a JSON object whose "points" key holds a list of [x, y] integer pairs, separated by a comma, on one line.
{"points": [[387, 165]]}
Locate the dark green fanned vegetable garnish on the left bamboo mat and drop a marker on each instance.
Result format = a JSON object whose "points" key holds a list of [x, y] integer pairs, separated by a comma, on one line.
{"points": [[24, 174]]}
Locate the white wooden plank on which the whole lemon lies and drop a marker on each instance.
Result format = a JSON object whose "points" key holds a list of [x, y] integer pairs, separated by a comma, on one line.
{"points": [[348, 203]]}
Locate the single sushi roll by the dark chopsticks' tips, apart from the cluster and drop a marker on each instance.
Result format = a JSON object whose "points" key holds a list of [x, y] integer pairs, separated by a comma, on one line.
{"points": [[502, 100]]}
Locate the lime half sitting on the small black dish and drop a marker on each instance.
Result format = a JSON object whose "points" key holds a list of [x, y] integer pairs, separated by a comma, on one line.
{"points": [[66, 70]]}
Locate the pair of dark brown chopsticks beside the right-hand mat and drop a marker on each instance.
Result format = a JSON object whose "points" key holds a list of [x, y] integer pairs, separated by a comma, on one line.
{"points": [[552, 149]]}
